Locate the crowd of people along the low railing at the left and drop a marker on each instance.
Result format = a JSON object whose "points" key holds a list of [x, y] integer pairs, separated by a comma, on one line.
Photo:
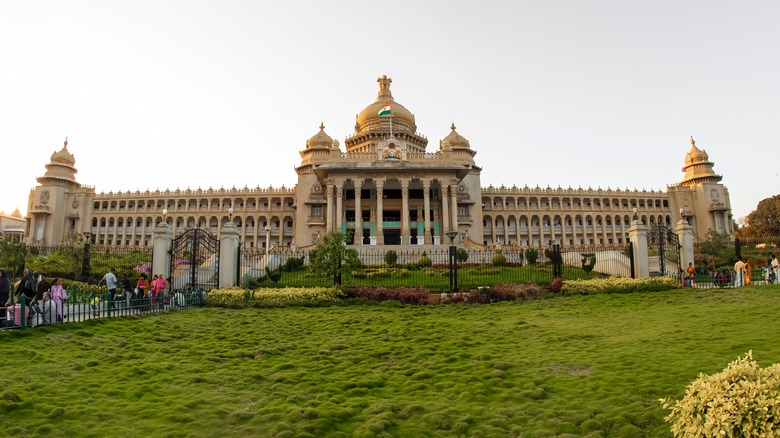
{"points": [[44, 302]]}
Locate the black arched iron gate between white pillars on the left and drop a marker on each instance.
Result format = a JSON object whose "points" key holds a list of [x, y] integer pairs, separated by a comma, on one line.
{"points": [[194, 265]]}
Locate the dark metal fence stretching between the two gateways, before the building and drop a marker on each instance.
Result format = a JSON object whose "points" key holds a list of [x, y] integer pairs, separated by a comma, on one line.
{"points": [[430, 269]]}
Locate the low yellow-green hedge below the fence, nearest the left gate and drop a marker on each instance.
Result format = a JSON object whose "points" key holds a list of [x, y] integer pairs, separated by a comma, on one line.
{"points": [[236, 297]]}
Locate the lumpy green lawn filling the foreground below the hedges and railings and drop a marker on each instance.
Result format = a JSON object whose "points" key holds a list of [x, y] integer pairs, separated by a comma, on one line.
{"points": [[580, 365]]}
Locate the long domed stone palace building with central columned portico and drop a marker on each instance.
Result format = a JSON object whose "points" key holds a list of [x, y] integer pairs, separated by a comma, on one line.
{"points": [[385, 187]]}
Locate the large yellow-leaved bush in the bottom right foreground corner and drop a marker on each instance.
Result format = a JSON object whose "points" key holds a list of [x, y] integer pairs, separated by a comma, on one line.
{"points": [[742, 400]]}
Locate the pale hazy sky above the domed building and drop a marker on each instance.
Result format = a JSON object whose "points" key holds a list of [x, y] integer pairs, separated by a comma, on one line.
{"points": [[167, 94]]}
